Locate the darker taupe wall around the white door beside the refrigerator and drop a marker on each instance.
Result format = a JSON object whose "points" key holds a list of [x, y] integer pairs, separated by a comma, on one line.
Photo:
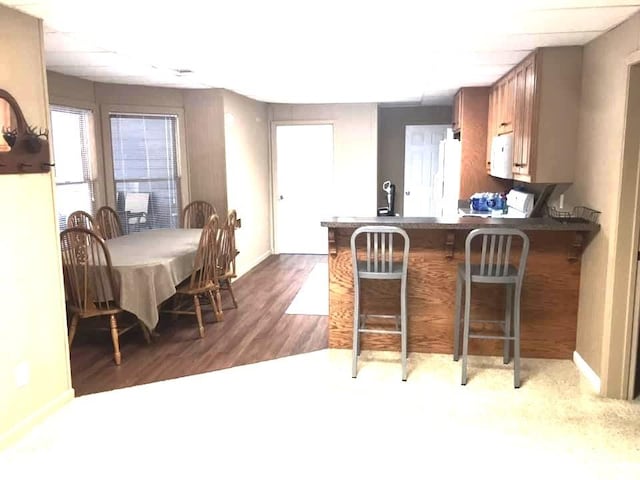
{"points": [[391, 136]]}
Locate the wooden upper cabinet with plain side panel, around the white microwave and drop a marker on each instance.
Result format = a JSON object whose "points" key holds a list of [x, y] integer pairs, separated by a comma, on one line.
{"points": [[542, 106]]}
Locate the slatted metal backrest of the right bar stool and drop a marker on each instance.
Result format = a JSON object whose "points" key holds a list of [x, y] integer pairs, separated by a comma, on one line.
{"points": [[496, 254]]}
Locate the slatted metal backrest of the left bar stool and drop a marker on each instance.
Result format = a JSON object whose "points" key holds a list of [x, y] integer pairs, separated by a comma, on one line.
{"points": [[381, 256]]}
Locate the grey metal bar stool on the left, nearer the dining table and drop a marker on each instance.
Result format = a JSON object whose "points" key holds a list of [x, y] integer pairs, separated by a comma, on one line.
{"points": [[379, 261]]}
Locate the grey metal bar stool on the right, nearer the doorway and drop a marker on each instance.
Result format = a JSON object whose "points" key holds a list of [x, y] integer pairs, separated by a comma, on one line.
{"points": [[494, 268]]}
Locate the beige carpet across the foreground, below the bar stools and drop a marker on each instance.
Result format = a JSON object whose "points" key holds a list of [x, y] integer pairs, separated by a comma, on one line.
{"points": [[304, 417]]}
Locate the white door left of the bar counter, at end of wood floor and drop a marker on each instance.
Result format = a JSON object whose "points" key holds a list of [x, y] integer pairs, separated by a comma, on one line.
{"points": [[304, 187]]}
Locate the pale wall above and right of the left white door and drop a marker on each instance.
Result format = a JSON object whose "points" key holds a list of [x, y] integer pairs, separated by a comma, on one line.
{"points": [[355, 130]]}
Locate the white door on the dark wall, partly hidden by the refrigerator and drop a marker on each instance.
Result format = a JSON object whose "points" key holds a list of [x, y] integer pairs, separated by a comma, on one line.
{"points": [[421, 161]]}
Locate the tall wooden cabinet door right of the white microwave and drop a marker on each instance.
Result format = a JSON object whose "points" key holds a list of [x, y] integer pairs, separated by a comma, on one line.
{"points": [[523, 166]]}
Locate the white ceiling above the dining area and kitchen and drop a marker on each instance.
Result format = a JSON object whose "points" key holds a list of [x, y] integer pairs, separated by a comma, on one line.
{"points": [[333, 51]]}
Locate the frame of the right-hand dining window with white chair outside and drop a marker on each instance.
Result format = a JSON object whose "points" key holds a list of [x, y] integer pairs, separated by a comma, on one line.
{"points": [[181, 160]]}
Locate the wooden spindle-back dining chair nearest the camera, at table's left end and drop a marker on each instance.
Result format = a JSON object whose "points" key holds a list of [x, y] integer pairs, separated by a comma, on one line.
{"points": [[90, 285]]}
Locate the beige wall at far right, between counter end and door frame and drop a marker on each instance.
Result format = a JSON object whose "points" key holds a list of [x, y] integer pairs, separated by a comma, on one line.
{"points": [[598, 178]]}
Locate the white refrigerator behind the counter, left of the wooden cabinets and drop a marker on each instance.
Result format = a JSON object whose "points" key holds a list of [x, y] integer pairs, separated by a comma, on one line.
{"points": [[446, 181]]}
